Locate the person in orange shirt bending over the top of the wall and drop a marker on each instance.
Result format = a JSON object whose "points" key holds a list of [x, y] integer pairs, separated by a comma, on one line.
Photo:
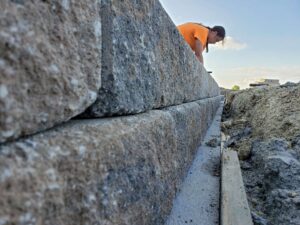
{"points": [[199, 36]]}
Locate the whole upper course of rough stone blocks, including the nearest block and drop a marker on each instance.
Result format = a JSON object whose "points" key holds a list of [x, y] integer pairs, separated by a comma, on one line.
{"points": [[56, 55]]}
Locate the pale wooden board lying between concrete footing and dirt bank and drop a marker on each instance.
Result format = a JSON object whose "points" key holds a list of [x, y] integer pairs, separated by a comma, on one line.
{"points": [[234, 204]]}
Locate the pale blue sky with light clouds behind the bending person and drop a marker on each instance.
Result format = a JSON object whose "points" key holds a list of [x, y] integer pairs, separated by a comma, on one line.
{"points": [[264, 37]]}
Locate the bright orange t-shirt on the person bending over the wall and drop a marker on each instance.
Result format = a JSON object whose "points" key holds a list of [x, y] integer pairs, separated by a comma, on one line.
{"points": [[193, 31]]}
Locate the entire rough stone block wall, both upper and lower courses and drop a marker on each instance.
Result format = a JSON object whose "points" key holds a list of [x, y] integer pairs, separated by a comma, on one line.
{"points": [[107, 171]]}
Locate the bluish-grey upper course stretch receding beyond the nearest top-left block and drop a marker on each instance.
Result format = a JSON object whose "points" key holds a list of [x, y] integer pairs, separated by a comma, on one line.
{"points": [[146, 63]]}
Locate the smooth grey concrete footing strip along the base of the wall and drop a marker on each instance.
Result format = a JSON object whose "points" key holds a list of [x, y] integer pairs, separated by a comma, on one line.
{"points": [[198, 201]]}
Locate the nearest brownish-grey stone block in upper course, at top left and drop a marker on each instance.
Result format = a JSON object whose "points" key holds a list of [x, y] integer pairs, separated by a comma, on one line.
{"points": [[50, 63]]}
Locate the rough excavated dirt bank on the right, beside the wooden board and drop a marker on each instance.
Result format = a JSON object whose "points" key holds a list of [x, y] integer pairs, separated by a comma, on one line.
{"points": [[263, 125]]}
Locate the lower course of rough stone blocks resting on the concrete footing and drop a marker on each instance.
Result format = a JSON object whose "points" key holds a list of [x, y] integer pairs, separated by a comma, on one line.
{"points": [[109, 171]]}
